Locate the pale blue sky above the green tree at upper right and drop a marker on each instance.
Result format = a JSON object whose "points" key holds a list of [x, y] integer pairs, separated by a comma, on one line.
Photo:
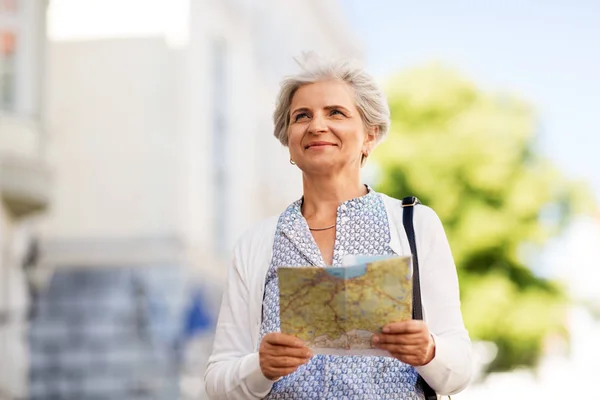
{"points": [[547, 52]]}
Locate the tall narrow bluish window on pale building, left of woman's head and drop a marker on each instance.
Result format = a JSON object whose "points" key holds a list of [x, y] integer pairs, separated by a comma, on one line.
{"points": [[220, 136]]}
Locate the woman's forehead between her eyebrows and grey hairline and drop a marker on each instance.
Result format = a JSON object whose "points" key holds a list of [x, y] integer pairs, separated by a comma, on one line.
{"points": [[322, 94]]}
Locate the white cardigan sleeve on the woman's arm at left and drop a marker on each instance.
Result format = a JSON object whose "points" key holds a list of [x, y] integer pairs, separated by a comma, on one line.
{"points": [[233, 370]]}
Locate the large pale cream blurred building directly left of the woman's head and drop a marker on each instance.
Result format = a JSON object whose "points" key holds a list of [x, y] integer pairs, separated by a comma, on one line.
{"points": [[159, 134]]}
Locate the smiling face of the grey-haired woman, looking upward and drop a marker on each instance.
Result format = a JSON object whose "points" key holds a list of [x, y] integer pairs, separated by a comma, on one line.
{"points": [[326, 132]]}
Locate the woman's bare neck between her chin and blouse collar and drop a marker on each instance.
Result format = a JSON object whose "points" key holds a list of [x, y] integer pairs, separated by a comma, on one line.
{"points": [[324, 194]]}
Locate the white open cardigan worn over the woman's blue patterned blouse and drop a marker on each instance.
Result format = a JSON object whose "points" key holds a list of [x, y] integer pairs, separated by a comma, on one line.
{"points": [[233, 370]]}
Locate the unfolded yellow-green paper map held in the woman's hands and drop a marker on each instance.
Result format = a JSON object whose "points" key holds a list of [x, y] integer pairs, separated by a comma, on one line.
{"points": [[336, 310]]}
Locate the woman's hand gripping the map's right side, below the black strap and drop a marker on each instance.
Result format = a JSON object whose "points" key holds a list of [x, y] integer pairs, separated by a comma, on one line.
{"points": [[407, 341]]}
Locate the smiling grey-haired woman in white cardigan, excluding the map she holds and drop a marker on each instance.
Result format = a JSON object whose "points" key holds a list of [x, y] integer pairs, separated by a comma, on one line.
{"points": [[331, 116]]}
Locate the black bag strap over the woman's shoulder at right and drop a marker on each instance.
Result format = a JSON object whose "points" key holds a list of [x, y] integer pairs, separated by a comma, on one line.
{"points": [[408, 204]]}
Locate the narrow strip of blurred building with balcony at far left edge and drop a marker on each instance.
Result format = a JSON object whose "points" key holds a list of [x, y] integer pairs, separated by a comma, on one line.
{"points": [[24, 176]]}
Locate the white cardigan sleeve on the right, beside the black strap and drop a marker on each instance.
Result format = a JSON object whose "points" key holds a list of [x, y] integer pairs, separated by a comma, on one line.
{"points": [[451, 368]]}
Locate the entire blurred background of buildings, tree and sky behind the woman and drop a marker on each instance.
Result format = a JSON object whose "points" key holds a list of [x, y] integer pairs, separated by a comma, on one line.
{"points": [[136, 146]]}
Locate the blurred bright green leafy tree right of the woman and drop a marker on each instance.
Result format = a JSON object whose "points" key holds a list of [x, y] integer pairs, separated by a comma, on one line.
{"points": [[472, 157]]}
